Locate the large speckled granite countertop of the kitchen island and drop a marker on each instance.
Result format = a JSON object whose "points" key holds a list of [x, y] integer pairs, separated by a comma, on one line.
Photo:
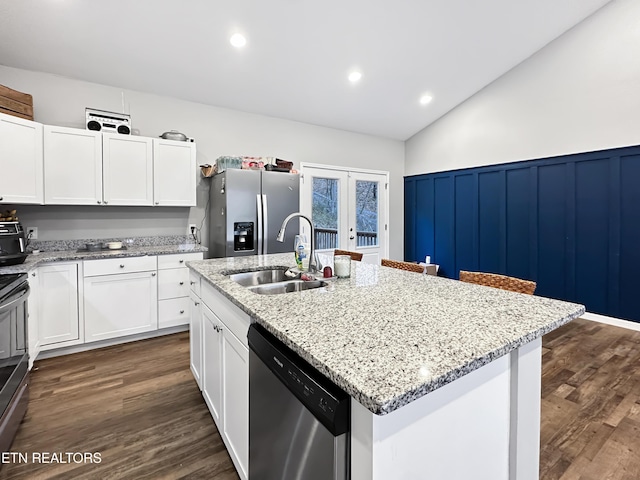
{"points": [[386, 336]]}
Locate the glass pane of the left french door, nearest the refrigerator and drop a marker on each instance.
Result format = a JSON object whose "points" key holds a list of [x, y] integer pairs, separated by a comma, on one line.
{"points": [[324, 212]]}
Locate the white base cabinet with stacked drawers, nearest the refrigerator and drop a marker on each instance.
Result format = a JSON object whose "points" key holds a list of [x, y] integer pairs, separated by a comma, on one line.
{"points": [[173, 289]]}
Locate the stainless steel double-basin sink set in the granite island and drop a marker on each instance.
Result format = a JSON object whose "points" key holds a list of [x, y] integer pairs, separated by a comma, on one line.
{"points": [[274, 281]]}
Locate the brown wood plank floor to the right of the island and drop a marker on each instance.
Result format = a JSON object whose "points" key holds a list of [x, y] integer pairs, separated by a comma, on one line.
{"points": [[590, 403]]}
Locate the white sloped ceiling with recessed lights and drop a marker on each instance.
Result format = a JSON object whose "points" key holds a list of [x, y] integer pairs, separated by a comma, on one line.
{"points": [[298, 54]]}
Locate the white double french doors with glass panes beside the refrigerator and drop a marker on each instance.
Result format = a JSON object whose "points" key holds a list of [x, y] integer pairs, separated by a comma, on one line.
{"points": [[349, 209]]}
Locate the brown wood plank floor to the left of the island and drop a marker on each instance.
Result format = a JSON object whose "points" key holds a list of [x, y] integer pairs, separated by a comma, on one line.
{"points": [[136, 404]]}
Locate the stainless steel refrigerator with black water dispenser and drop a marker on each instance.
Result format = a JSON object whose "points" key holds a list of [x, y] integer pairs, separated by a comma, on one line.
{"points": [[247, 209]]}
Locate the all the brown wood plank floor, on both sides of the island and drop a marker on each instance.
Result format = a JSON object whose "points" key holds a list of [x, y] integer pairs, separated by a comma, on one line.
{"points": [[139, 407]]}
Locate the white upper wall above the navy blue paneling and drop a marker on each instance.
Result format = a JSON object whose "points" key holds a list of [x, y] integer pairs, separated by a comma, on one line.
{"points": [[580, 93]]}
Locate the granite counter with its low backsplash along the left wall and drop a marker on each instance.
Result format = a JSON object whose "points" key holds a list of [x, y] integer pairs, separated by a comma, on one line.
{"points": [[69, 250]]}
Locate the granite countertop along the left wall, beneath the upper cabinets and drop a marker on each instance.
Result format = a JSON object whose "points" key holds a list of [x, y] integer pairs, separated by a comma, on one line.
{"points": [[35, 259]]}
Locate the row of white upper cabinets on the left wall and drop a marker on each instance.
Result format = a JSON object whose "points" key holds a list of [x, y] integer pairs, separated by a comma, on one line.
{"points": [[83, 167]]}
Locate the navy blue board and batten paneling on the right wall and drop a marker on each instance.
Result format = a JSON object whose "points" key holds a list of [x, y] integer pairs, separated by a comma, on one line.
{"points": [[570, 223]]}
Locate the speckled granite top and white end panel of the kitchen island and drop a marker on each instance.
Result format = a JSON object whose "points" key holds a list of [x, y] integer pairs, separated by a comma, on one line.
{"points": [[444, 376]]}
